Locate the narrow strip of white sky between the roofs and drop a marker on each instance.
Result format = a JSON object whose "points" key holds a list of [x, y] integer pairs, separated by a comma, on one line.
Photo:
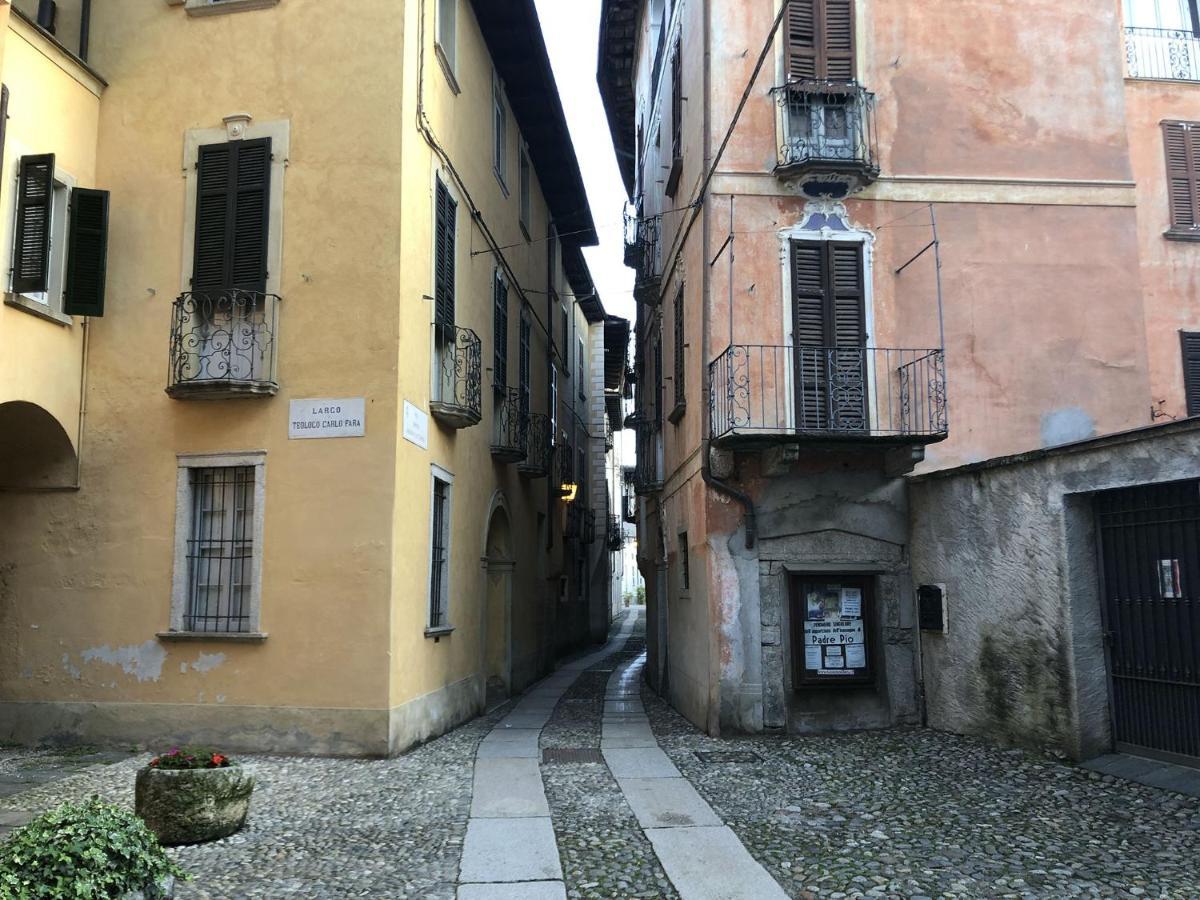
{"points": [[573, 31]]}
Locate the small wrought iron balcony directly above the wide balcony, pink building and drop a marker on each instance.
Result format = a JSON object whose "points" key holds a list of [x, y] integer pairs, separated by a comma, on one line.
{"points": [[827, 137]]}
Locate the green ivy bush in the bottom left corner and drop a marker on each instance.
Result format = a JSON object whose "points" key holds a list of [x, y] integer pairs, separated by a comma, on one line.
{"points": [[88, 851]]}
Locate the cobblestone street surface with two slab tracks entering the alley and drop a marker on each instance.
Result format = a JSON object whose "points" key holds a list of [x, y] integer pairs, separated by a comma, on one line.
{"points": [[885, 814]]}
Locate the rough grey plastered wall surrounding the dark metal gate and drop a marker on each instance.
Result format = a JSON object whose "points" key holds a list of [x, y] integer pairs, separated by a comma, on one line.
{"points": [[1012, 541]]}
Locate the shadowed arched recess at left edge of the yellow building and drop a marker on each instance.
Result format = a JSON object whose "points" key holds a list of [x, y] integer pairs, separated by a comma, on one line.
{"points": [[35, 451]]}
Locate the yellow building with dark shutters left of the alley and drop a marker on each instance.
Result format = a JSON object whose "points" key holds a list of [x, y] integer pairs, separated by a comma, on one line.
{"points": [[302, 487]]}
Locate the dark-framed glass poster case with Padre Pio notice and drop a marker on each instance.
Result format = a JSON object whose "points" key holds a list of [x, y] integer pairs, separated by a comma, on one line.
{"points": [[831, 631]]}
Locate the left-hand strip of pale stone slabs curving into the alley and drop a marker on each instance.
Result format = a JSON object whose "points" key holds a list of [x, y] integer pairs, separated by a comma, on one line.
{"points": [[511, 849]]}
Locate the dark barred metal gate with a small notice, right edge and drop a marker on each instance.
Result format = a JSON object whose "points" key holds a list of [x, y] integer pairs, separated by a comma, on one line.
{"points": [[1150, 567]]}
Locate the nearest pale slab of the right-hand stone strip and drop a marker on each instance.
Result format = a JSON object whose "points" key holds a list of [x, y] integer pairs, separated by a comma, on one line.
{"points": [[710, 863]]}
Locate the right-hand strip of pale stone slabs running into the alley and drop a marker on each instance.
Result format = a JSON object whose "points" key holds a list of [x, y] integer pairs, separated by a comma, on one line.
{"points": [[703, 857]]}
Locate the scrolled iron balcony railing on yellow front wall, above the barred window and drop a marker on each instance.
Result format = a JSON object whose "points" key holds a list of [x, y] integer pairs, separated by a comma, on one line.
{"points": [[223, 345]]}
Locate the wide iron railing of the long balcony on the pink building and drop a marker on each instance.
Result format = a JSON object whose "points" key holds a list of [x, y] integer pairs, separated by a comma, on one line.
{"points": [[815, 393]]}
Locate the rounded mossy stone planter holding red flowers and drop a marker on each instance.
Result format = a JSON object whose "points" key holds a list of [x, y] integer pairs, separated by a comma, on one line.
{"points": [[194, 806]]}
